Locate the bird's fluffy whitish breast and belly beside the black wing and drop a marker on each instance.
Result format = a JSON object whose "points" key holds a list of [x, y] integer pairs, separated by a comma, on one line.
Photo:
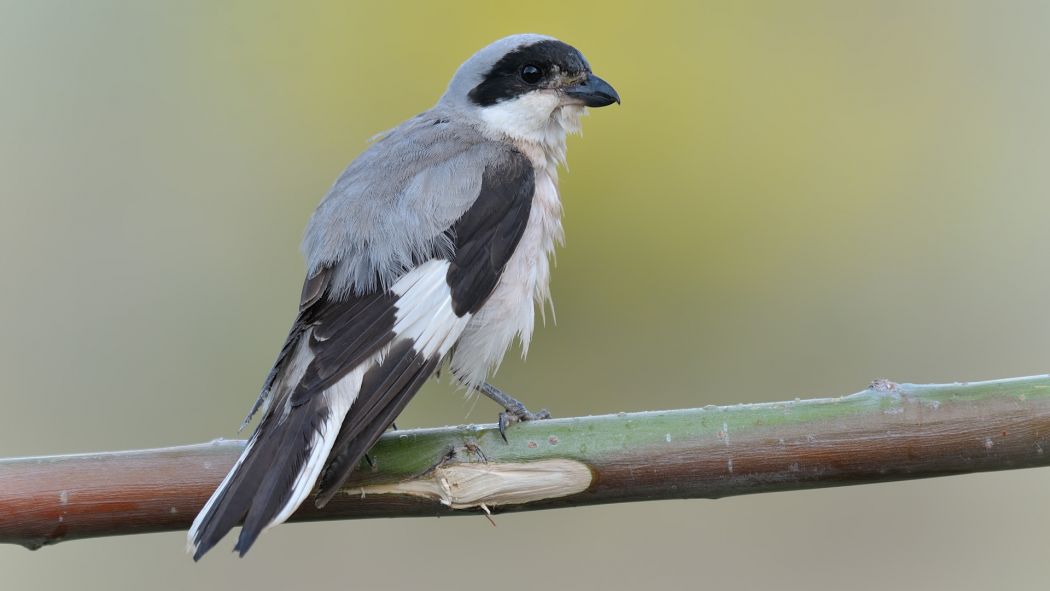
{"points": [[526, 283]]}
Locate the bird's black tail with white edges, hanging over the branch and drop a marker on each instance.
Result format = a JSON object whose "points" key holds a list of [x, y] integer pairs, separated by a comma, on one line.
{"points": [[278, 469]]}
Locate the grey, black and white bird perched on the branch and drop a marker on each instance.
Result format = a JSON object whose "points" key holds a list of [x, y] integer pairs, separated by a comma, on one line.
{"points": [[431, 251]]}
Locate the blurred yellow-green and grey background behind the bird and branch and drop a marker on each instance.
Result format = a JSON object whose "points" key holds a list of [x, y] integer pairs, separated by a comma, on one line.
{"points": [[794, 200]]}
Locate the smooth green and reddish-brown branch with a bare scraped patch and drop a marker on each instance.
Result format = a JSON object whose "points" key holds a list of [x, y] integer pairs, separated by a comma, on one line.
{"points": [[889, 432]]}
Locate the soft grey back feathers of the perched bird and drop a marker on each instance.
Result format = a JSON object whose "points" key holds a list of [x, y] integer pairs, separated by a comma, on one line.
{"points": [[394, 203]]}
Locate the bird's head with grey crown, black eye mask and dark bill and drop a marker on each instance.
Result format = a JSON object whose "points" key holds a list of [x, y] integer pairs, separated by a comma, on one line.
{"points": [[530, 88]]}
